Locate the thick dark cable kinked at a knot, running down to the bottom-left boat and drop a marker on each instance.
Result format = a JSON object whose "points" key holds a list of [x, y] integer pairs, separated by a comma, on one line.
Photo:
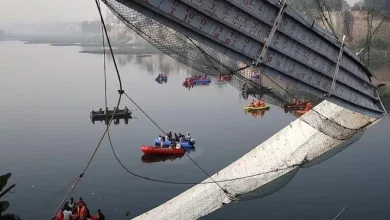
{"points": [[119, 100]]}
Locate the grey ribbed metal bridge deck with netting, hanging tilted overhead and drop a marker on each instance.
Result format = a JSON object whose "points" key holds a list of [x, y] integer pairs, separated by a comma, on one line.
{"points": [[269, 36]]}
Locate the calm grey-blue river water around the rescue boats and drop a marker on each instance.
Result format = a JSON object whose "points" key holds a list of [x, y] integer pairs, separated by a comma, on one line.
{"points": [[47, 138]]}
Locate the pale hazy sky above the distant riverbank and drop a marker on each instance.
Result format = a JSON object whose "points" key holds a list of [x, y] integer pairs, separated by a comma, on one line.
{"points": [[34, 11]]}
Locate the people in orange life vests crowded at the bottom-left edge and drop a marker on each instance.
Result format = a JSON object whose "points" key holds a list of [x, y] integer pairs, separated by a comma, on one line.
{"points": [[73, 210]]}
